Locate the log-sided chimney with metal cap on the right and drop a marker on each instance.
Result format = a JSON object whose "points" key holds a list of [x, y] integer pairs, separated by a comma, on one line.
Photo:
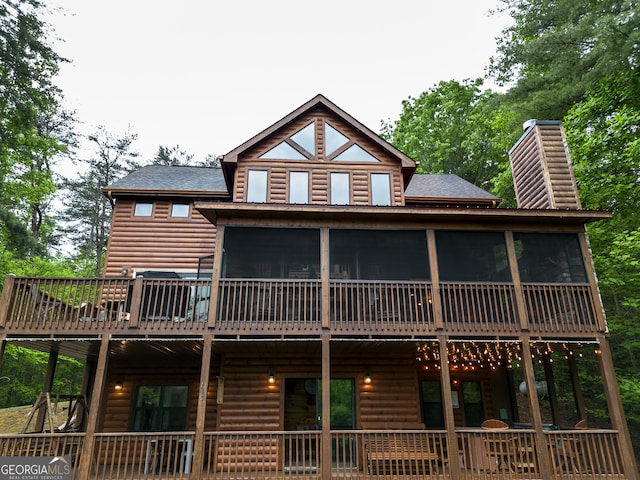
{"points": [[541, 168]]}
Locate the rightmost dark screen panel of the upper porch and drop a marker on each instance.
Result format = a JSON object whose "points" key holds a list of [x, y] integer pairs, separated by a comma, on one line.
{"points": [[549, 258]]}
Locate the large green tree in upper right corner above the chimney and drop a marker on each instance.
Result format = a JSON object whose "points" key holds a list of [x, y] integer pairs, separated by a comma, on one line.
{"points": [[554, 51]]}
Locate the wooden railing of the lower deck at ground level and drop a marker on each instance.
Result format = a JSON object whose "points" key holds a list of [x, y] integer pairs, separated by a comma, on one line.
{"points": [[361, 454]]}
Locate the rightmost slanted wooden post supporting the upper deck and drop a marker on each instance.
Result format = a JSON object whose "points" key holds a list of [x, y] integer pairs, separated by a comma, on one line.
{"points": [[616, 411]]}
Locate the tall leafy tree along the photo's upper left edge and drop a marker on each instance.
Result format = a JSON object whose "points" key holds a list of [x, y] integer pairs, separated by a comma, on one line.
{"points": [[33, 127]]}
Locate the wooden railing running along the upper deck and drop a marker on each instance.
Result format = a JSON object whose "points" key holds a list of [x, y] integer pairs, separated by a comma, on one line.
{"points": [[268, 306]]}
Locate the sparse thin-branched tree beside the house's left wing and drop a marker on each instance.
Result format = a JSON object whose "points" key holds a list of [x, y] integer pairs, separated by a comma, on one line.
{"points": [[88, 210]]}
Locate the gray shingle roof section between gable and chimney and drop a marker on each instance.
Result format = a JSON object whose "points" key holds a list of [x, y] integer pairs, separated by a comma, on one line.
{"points": [[445, 186]]}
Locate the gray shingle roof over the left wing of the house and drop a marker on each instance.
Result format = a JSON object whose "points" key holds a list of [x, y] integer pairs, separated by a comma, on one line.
{"points": [[172, 178]]}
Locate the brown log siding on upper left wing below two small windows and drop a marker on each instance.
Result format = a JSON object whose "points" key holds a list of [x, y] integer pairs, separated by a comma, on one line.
{"points": [[159, 242]]}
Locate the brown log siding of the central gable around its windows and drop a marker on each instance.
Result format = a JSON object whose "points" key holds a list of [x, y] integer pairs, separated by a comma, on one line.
{"points": [[319, 170]]}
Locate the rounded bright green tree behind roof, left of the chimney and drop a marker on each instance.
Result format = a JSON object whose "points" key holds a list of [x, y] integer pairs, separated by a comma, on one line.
{"points": [[453, 128]]}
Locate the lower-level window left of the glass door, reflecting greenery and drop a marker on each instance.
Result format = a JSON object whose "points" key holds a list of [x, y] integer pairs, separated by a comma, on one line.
{"points": [[160, 408]]}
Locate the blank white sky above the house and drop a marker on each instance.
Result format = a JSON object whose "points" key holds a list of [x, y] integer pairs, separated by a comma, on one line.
{"points": [[208, 74]]}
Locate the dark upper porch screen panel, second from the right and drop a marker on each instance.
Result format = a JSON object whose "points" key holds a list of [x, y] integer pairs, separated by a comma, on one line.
{"points": [[472, 257]]}
